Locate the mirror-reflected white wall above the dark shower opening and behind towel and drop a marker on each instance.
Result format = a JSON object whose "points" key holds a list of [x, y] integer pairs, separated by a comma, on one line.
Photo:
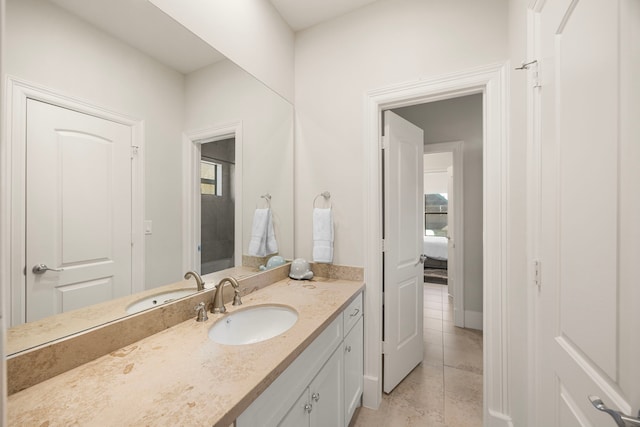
{"points": [[223, 93]]}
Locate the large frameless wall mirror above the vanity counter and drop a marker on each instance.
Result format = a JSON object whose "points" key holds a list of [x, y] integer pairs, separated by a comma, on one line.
{"points": [[197, 130]]}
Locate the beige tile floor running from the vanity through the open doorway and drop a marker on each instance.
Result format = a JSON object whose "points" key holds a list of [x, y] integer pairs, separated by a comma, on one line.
{"points": [[446, 388]]}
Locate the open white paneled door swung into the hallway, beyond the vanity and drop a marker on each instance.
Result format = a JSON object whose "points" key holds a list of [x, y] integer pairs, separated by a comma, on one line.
{"points": [[403, 263]]}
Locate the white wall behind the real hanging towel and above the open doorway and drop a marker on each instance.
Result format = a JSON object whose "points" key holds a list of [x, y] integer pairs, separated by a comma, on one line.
{"points": [[337, 62]]}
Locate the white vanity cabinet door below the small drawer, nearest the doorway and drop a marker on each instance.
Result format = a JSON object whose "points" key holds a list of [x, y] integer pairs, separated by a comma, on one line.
{"points": [[353, 370]]}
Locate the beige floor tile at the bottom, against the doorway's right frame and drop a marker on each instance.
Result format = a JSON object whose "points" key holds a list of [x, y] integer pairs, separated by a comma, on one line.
{"points": [[462, 398]]}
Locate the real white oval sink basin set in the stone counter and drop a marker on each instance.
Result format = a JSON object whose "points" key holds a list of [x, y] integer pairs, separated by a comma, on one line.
{"points": [[253, 324]]}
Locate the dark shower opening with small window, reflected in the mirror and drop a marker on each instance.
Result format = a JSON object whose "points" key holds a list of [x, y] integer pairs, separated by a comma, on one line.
{"points": [[217, 205]]}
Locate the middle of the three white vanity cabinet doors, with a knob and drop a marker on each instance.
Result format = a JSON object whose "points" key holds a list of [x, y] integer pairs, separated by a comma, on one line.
{"points": [[326, 392]]}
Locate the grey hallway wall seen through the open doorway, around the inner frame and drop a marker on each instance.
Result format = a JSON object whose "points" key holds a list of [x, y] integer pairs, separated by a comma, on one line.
{"points": [[460, 119]]}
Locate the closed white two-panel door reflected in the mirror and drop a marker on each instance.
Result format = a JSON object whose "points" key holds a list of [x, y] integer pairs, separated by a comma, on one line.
{"points": [[78, 210]]}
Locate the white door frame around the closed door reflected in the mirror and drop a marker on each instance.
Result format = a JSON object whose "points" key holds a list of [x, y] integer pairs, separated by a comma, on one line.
{"points": [[12, 217]]}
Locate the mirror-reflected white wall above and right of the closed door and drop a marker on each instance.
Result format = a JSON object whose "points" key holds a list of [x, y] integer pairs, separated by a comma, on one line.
{"points": [[50, 47]]}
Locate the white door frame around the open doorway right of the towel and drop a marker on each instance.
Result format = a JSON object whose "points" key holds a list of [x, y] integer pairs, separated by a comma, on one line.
{"points": [[491, 80]]}
